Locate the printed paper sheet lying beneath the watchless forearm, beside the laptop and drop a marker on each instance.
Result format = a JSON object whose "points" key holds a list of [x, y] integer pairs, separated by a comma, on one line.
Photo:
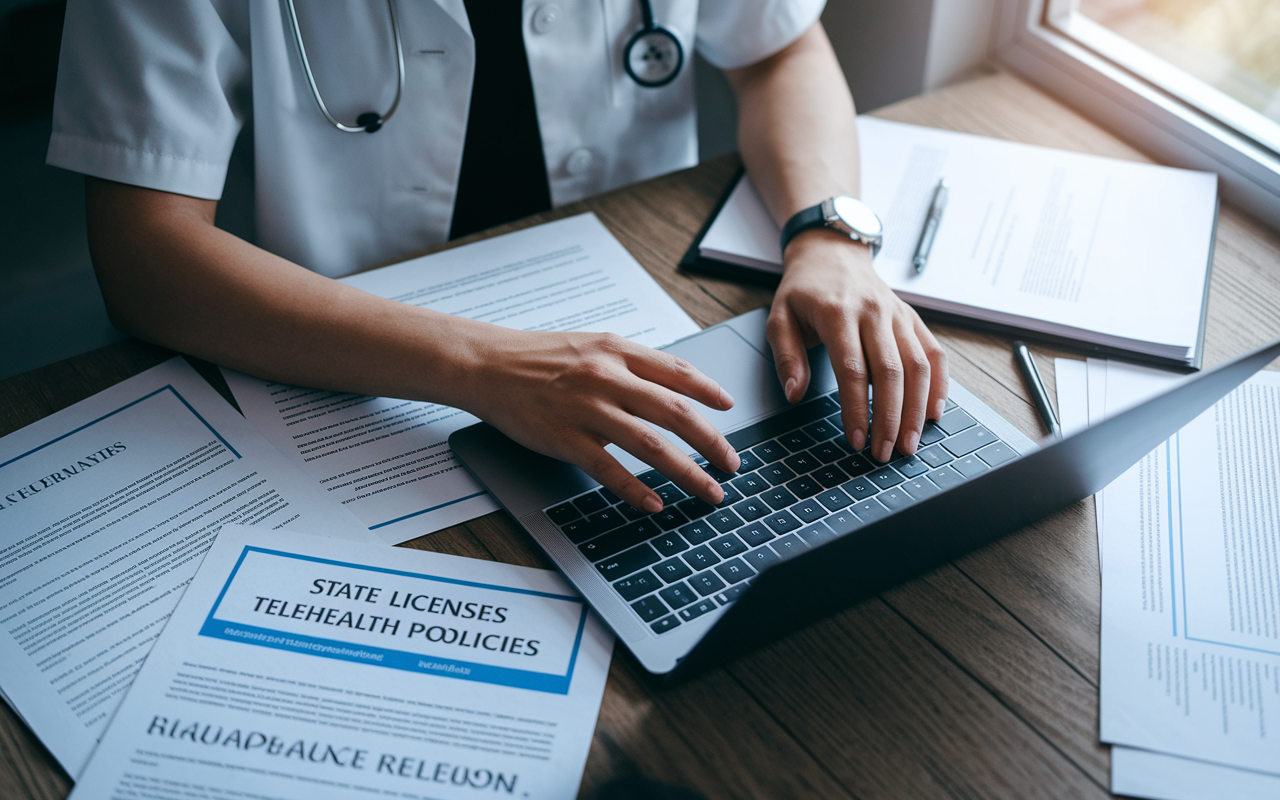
{"points": [[388, 461]]}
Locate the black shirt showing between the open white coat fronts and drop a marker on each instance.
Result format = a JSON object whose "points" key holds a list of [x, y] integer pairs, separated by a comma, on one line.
{"points": [[504, 173]]}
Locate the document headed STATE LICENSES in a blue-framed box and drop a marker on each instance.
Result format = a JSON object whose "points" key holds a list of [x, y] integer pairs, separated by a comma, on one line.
{"points": [[304, 669]]}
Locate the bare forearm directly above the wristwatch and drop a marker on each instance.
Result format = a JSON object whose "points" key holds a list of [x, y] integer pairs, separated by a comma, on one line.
{"points": [[797, 130]]}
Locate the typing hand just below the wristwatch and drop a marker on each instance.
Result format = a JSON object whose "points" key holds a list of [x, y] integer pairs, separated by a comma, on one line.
{"points": [[830, 294]]}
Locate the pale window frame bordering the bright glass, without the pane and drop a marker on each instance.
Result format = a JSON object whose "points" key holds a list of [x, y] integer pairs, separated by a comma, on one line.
{"points": [[1136, 107]]}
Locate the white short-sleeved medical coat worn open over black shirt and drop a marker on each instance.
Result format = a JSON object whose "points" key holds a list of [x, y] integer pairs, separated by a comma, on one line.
{"points": [[156, 93]]}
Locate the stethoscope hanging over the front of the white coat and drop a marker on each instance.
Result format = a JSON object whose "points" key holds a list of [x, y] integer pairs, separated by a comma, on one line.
{"points": [[653, 57]]}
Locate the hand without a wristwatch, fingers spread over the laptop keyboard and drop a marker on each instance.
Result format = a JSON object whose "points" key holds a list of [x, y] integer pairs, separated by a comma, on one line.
{"points": [[569, 395]]}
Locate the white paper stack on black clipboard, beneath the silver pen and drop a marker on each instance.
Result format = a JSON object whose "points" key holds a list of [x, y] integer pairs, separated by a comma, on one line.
{"points": [[1039, 239]]}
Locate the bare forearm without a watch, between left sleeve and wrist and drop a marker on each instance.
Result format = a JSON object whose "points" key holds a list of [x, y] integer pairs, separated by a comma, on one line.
{"points": [[171, 277]]}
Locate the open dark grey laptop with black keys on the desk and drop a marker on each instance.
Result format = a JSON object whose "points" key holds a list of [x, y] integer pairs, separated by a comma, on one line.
{"points": [[808, 527]]}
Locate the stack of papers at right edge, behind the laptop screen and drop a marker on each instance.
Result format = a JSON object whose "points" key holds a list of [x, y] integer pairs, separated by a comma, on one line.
{"points": [[1190, 546]]}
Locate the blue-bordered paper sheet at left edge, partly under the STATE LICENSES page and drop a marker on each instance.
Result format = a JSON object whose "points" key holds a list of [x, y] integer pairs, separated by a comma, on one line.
{"points": [[108, 509]]}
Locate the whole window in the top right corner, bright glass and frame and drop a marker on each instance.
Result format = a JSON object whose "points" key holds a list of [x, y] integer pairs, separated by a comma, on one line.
{"points": [[1194, 83]]}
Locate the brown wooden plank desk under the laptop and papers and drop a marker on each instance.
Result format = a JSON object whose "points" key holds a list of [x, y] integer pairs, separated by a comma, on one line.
{"points": [[979, 680]]}
